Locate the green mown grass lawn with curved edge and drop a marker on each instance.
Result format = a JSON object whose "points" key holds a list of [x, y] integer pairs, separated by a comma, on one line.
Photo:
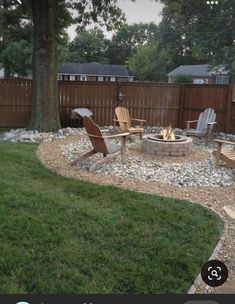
{"points": [[60, 235]]}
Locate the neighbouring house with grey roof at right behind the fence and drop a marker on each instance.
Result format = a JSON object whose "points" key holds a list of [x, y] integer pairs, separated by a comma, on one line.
{"points": [[201, 74]]}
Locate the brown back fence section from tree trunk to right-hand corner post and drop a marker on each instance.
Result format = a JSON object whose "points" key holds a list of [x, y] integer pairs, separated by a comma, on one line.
{"points": [[158, 104]]}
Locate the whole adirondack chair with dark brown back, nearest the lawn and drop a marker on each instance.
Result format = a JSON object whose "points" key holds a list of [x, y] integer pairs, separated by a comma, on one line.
{"points": [[100, 145]]}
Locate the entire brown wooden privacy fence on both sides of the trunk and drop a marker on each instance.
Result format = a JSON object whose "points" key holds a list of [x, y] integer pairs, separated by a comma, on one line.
{"points": [[159, 104]]}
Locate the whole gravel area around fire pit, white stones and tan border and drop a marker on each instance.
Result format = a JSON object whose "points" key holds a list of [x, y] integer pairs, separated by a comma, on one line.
{"points": [[192, 178]]}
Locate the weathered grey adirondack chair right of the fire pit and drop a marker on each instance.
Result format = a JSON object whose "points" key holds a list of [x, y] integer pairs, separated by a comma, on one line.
{"points": [[205, 123]]}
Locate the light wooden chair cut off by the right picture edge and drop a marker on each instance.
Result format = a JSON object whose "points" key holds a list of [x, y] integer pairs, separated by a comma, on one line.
{"points": [[228, 156]]}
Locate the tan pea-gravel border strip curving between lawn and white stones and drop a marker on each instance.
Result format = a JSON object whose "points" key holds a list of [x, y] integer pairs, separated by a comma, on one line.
{"points": [[213, 198]]}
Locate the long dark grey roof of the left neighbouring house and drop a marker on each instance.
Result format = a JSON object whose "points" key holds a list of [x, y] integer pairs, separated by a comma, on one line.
{"points": [[94, 68]]}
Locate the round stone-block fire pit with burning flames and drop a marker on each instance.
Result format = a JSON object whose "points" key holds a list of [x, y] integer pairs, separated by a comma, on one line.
{"points": [[167, 143]]}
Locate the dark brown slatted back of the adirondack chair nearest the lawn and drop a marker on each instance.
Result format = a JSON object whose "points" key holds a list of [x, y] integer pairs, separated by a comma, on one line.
{"points": [[98, 143]]}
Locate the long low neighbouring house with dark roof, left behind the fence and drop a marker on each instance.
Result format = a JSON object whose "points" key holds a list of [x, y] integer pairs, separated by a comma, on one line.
{"points": [[94, 72]]}
